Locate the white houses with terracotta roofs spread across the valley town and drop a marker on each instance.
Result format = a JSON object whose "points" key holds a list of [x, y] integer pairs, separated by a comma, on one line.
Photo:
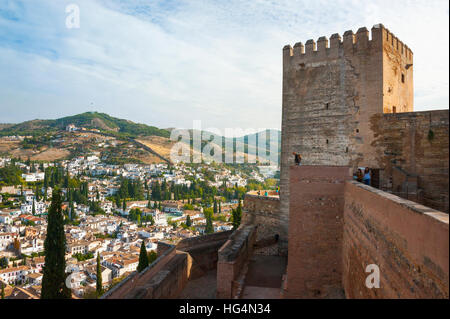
{"points": [[114, 237]]}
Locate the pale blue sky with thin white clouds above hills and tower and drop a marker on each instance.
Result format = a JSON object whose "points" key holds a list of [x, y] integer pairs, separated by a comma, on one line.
{"points": [[167, 63]]}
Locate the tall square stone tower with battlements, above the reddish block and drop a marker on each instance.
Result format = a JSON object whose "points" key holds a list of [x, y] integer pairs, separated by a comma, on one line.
{"points": [[331, 92]]}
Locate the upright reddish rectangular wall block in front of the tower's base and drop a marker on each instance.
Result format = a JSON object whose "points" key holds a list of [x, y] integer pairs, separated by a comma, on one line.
{"points": [[315, 231]]}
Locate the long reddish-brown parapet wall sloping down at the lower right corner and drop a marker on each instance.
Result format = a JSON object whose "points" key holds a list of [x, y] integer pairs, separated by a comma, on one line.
{"points": [[409, 242]]}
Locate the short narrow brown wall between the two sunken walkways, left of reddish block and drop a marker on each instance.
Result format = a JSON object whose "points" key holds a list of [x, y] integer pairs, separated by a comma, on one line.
{"points": [[232, 257]]}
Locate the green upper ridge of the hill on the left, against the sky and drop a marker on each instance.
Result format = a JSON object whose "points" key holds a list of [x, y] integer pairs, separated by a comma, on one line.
{"points": [[89, 120]]}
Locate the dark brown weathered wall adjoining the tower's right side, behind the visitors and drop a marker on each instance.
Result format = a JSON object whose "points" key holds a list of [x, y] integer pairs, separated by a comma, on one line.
{"points": [[402, 140]]}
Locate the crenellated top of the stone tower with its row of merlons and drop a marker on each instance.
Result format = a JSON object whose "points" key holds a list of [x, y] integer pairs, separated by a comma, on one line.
{"points": [[351, 44]]}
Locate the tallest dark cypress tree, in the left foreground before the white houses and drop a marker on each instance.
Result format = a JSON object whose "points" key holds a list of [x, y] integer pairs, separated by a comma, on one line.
{"points": [[53, 281]]}
